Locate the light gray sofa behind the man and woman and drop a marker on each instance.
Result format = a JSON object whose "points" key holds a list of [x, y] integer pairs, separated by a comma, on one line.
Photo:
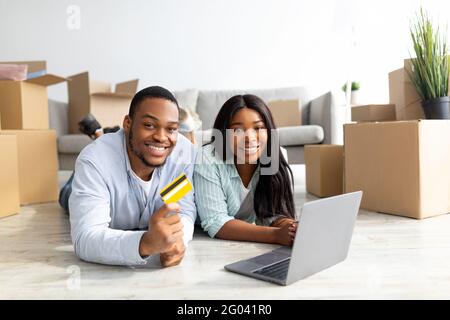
{"points": [[318, 119]]}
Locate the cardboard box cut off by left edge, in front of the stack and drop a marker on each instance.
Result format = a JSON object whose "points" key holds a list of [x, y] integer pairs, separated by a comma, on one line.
{"points": [[9, 176]]}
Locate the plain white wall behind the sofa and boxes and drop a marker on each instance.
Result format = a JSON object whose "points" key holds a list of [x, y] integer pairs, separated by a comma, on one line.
{"points": [[216, 44]]}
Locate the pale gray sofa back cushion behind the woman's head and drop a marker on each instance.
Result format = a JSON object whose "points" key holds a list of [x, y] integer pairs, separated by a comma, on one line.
{"points": [[210, 102]]}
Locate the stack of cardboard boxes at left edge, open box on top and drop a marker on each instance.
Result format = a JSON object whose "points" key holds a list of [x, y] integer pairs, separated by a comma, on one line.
{"points": [[28, 161]]}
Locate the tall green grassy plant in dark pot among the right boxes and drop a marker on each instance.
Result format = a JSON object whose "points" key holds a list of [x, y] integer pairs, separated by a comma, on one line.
{"points": [[429, 70]]}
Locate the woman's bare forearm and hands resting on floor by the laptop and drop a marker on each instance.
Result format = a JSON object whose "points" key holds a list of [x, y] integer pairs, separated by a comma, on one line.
{"points": [[243, 231]]}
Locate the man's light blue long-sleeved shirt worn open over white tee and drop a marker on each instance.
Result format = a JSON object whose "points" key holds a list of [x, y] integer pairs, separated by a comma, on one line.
{"points": [[109, 211]]}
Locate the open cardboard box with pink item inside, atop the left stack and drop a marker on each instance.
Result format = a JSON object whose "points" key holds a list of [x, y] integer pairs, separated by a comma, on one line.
{"points": [[24, 104]]}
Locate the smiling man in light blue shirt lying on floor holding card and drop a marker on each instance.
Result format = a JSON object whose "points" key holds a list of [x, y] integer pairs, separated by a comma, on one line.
{"points": [[116, 213]]}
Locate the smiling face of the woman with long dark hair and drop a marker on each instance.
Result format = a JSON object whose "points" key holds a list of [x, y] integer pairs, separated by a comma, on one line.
{"points": [[249, 136]]}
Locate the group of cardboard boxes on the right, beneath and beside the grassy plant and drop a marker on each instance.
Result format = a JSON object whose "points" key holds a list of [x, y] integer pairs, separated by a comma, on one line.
{"points": [[400, 161]]}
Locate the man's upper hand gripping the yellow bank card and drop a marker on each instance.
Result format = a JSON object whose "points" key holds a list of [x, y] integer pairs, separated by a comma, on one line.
{"points": [[164, 231]]}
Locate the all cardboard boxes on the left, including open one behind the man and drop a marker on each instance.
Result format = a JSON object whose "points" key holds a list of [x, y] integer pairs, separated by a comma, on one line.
{"points": [[28, 161]]}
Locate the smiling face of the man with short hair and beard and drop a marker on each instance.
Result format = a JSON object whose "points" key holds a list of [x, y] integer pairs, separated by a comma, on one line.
{"points": [[153, 131]]}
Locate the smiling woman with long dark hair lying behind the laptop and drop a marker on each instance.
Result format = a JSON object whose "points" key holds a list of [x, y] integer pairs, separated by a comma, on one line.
{"points": [[236, 199]]}
